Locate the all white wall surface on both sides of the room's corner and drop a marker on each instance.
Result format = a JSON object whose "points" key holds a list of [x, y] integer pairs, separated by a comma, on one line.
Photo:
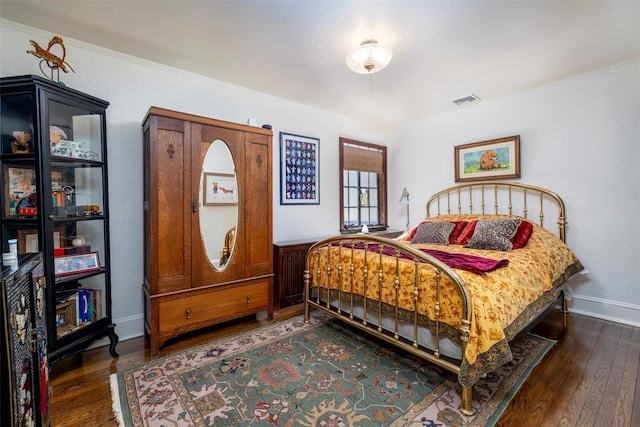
{"points": [[580, 137]]}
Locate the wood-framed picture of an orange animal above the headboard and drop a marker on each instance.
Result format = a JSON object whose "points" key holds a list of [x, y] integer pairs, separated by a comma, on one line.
{"points": [[493, 159]]}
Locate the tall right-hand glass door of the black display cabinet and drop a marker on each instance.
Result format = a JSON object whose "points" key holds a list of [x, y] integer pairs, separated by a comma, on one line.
{"points": [[74, 191]]}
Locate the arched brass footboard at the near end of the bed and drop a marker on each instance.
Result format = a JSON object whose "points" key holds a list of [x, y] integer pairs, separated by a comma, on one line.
{"points": [[329, 285]]}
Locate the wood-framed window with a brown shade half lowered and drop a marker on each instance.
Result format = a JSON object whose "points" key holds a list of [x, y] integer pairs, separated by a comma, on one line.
{"points": [[363, 181]]}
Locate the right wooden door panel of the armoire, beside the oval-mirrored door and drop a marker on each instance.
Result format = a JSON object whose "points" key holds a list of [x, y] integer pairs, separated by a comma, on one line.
{"points": [[259, 202]]}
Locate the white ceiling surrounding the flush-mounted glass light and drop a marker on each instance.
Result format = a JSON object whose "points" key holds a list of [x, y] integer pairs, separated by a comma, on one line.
{"points": [[296, 49]]}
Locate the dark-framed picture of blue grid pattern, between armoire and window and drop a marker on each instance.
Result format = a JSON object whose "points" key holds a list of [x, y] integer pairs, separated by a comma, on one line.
{"points": [[299, 170]]}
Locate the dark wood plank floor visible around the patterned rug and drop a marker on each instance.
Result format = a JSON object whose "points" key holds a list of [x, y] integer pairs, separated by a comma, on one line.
{"points": [[590, 378]]}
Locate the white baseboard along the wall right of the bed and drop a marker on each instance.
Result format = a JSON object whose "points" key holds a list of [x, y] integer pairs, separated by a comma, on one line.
{"points": [[613, 311]]}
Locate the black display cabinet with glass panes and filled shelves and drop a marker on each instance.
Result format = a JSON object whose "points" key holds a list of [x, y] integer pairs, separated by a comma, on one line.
{"points": [[55, 200]]}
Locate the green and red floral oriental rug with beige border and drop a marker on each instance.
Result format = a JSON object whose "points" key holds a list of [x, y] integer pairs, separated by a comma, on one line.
{"points": [[319, 374]]}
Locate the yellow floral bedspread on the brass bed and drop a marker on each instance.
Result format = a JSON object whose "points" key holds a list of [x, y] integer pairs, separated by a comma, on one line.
{"points": [[503, 299]]}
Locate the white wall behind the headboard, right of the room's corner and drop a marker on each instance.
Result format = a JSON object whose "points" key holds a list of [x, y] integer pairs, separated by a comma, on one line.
{"points": [[579, 137]]}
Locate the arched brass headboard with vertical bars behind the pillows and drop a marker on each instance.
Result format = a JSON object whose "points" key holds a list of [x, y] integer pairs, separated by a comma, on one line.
{"points": [[491, 196]]}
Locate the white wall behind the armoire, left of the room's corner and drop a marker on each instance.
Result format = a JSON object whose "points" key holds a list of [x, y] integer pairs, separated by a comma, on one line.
{"points": [[131, 86]]}
